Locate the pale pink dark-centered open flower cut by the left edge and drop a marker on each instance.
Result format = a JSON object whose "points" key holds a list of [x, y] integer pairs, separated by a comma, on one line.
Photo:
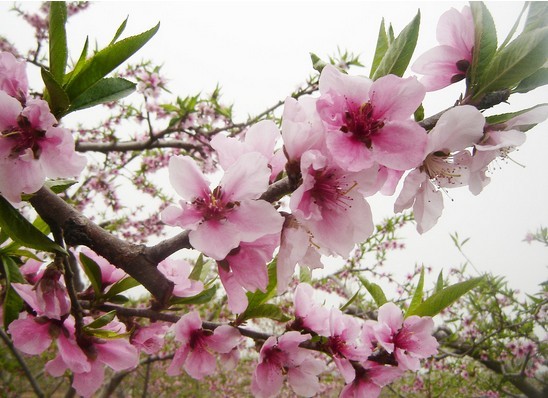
{"points": [[32, 148]]}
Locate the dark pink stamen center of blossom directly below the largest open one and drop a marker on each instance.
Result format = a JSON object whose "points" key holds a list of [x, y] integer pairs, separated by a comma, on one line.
{"points": [[330, 190]]}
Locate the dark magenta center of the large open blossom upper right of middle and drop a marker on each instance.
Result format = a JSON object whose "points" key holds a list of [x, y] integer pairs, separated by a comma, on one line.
{"points": [[361, 124]]}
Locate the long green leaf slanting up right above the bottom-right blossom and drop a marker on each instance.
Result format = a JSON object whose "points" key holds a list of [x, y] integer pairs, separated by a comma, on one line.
{"points": [[442, 299]]}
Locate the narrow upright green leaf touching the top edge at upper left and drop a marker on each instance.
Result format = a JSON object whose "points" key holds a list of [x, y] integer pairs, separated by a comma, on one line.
{"points": [[58, 52]]}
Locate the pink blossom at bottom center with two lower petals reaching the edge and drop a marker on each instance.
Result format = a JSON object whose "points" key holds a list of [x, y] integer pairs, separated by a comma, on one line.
{"points": [[281, 356]]}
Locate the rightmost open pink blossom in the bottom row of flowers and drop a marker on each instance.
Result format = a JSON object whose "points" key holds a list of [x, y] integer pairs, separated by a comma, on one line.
{"points": [[410, 340]]}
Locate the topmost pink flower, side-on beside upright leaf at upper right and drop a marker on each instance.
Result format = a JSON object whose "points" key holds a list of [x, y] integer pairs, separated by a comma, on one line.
{"points": [[449, 62]]}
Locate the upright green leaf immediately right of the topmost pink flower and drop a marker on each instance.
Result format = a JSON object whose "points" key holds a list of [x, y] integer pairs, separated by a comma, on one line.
{"points": [[485, 43]]}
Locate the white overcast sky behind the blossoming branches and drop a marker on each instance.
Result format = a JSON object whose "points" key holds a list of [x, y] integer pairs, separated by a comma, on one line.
{"points": [[259, 52]]}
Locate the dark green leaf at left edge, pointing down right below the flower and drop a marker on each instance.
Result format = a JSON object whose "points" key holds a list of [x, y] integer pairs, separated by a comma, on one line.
{"points": [[23, 232]]}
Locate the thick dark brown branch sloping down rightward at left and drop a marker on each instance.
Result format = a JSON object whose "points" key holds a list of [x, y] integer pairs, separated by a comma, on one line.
{"points": [[79, 230]]}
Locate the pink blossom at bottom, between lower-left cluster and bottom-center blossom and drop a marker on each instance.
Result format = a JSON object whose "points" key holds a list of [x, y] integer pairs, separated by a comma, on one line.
{"points": [[196, 354]]}
